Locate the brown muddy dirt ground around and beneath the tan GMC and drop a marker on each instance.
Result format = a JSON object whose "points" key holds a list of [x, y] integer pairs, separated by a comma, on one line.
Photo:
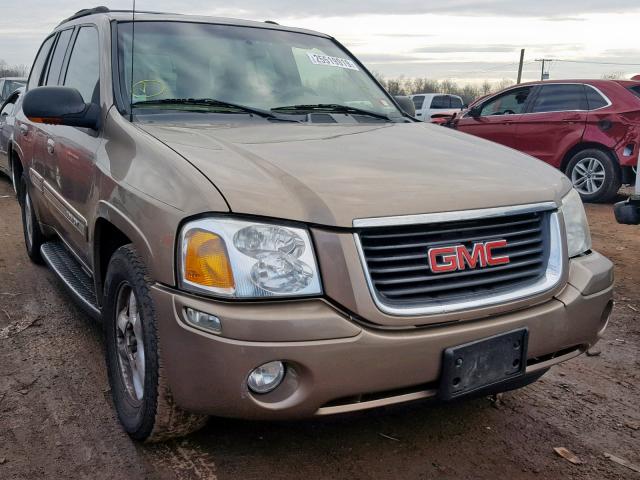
{"points": [[56, 419]]}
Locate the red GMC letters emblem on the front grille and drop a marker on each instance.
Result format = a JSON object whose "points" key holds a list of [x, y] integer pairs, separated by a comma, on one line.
{"points": [[452, 259]]}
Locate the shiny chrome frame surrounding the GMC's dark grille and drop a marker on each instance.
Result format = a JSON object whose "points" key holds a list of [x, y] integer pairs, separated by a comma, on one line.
{"points": [[550, 279]]}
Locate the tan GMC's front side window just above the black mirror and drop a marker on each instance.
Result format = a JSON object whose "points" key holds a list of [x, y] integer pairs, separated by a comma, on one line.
{"points": [[83, 72]]}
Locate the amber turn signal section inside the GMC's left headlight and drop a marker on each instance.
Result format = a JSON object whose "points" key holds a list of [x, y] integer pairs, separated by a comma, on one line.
{"points": [[206, 261]]}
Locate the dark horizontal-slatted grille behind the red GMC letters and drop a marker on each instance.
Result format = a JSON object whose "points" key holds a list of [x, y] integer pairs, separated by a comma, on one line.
{"points": [[397, 262]]}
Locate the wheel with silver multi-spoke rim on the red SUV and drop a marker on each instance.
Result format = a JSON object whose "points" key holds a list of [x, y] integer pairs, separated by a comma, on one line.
{"points": [[595, 175]]}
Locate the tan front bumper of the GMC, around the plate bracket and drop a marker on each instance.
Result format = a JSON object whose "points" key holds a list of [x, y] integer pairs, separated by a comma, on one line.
{"points": [[337, 365]]}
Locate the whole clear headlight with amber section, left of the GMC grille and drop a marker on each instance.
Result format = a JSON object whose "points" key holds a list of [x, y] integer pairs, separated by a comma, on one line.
{"points": [[242, 259]]}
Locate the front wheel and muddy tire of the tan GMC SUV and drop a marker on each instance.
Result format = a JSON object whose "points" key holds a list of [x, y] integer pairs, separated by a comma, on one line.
{"points": [[140, 392]]}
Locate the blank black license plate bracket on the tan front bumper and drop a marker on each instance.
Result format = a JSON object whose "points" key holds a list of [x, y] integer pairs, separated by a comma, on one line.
{"points": [[483, 363]]}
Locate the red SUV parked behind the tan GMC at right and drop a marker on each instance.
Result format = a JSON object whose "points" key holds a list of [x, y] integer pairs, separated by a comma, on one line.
{"points": [[589, 129]]}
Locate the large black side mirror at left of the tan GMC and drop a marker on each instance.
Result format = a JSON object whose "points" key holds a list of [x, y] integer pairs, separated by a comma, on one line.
{"points": [[60, 106]]}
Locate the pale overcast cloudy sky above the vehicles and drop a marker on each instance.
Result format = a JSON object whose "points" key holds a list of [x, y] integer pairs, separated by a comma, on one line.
{"points": [[463, 40]]}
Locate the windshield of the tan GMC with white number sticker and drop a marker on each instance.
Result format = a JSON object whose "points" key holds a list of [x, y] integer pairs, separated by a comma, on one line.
{"points": [[253, 67]]}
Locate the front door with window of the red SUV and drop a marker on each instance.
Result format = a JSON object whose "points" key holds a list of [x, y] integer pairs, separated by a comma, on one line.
{"points": [[499, 117]]}
